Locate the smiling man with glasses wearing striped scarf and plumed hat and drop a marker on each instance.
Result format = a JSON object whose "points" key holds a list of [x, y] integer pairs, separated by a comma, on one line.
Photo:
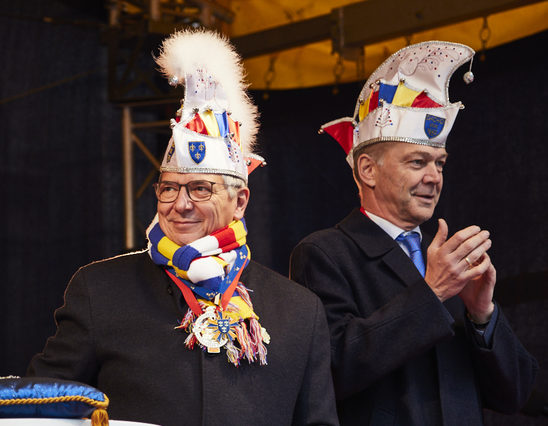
{"points": [[192, 331]]}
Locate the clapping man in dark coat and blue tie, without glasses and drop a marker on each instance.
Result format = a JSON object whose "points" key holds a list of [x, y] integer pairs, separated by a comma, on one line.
{"points": [[416, 337]]}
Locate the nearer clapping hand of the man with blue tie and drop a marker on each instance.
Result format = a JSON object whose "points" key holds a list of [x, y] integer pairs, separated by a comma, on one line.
{"points": [[453, 262]]}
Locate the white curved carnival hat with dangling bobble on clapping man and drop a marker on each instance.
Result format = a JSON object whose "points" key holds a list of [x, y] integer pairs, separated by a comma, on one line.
{"points": [[406, 99]]}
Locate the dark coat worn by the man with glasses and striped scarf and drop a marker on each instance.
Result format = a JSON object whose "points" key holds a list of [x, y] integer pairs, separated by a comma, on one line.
{"points": [[116, 332]]}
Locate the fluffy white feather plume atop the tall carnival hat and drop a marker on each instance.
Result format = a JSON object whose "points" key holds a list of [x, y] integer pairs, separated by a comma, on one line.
{"points": [[186, 51]]}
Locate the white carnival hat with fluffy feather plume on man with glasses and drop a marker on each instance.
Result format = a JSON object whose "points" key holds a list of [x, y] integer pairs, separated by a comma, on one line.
{"points": [[215, 128]]}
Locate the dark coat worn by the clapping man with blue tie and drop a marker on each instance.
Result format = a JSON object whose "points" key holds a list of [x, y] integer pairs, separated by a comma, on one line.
{"points": [[400, 356]]}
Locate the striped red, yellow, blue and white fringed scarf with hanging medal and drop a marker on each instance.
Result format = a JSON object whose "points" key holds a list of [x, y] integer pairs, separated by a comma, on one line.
{"points": [[210, 267]]}
